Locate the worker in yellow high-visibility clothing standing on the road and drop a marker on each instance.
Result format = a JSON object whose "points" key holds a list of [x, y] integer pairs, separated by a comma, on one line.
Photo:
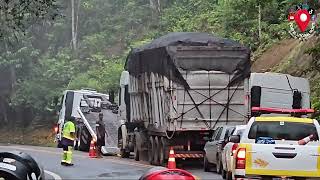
{"points": [[67, 142]]}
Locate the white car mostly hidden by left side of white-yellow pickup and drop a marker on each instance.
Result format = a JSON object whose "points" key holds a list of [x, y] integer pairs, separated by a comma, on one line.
{"points": [[228, 151]]}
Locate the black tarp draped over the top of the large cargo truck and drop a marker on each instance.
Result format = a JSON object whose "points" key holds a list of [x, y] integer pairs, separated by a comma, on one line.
{"points": [[158, 58]]}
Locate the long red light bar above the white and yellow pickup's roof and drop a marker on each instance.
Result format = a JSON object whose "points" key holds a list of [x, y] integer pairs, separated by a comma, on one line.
{"points": [[262, 110]]}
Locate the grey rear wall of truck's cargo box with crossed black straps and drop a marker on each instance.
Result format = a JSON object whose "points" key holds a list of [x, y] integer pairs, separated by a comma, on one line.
{"points": [[209, 102]]}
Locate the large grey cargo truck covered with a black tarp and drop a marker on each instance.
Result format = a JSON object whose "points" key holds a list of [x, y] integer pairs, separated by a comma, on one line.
{"points": [[176, 90]]}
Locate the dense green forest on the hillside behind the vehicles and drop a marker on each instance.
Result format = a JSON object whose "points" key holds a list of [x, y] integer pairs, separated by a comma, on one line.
{"points": [[48, 46]]}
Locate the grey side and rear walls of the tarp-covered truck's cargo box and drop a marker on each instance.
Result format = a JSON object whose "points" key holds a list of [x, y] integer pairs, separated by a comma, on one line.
{"points": [[209, 100]]}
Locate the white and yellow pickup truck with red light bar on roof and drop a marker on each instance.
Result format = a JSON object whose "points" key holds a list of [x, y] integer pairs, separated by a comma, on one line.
{"points": [[269, 149]]}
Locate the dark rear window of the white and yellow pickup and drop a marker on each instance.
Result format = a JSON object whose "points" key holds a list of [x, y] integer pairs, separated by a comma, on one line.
{"points": [[282, 130]]}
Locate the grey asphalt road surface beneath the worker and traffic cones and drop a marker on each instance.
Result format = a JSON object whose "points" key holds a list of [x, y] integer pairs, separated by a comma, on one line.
{"points": [[109, 167]]}
